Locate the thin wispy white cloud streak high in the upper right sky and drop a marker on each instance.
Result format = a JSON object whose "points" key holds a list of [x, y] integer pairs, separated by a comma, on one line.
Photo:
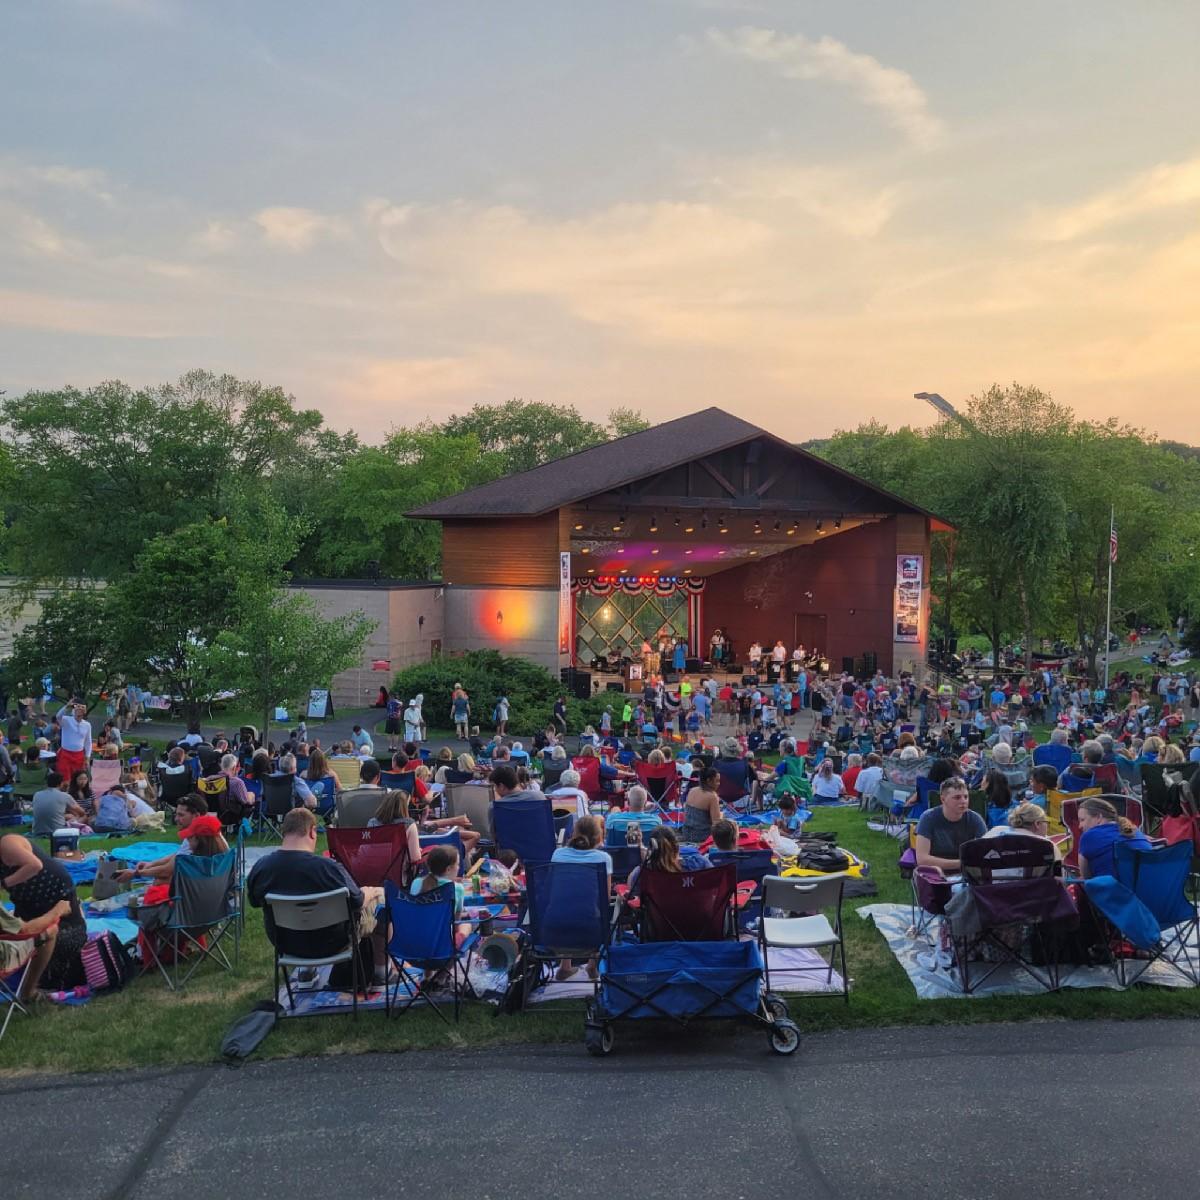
{"points": [[889, 89]]}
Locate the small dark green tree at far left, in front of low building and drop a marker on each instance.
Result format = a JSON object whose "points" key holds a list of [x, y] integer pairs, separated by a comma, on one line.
{"points": [[74, 641]]}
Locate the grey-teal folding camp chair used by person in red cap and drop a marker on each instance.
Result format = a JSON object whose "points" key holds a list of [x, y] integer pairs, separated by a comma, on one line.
{"points": [[202, 913]]}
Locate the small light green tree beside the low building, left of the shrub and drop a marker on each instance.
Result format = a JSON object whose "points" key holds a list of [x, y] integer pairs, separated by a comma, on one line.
{"points": [[280, 647]]}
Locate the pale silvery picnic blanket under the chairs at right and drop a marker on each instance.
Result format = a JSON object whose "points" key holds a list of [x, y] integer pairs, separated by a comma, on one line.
{"points": [[932, 980]]}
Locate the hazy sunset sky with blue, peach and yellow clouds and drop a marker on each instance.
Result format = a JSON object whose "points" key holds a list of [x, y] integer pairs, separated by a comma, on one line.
{"points": [[801, 212]]}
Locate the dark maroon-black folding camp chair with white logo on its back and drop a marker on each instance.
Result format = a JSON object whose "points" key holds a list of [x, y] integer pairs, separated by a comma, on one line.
{"points": [[1013, 896]]}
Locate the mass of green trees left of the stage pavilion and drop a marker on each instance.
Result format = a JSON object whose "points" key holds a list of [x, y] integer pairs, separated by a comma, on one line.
{"points": [[169, 520]]}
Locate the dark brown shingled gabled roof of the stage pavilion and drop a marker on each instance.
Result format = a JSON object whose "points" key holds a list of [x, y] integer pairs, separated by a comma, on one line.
{"points": [[611, 465]]}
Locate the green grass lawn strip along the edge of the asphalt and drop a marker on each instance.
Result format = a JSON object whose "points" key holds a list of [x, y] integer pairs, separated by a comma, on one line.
{"points": [[146, 1025]]}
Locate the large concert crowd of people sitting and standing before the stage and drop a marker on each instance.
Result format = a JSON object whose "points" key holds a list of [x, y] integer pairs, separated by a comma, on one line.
{"points": [[725, 749]]}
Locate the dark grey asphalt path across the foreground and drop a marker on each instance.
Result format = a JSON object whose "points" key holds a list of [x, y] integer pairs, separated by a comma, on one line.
{"points": [[1064, 1109]]}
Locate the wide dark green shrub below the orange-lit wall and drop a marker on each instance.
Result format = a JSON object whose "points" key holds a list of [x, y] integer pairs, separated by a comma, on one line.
{"points": [[488, 675]]}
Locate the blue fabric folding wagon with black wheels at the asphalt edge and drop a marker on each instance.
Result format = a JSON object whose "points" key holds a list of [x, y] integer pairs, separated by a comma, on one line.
{"points": [[686, 982]]}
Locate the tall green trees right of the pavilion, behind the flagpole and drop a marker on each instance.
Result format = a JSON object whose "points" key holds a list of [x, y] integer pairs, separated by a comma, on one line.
{"points": [[1031, 491]]}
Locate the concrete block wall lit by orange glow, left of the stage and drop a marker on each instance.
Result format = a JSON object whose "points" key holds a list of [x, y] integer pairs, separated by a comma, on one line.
{"points": [[521, 622]]}
